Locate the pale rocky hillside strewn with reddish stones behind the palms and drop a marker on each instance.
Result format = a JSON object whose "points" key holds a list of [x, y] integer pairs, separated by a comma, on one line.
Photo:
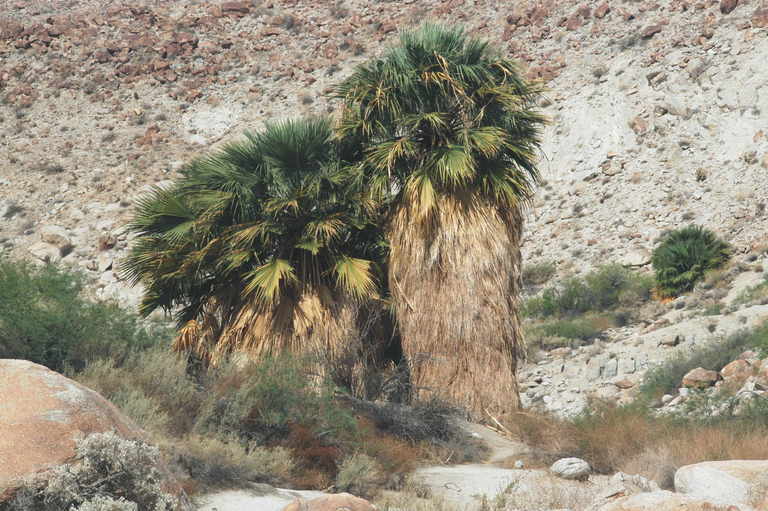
{"points": [[658, 119]]}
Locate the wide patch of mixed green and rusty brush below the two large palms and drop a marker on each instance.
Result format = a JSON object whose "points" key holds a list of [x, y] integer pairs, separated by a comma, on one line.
{"points": [[212, 425]]}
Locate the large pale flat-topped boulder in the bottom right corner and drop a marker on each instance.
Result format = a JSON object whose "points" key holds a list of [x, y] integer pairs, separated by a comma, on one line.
{"points": [[728, 481]]}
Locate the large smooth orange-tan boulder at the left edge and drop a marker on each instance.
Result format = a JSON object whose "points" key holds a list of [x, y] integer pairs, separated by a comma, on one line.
{"points": [[43, 414]]}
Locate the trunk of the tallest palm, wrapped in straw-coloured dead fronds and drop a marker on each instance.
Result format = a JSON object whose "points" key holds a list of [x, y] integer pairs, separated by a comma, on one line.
{"points": [[455, 278]]}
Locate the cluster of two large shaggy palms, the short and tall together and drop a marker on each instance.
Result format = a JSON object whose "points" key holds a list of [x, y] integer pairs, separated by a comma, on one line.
{"points": [[409, 202]]}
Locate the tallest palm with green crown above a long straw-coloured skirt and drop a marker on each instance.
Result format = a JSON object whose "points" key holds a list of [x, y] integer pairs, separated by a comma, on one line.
{"points": [[451, 135]]}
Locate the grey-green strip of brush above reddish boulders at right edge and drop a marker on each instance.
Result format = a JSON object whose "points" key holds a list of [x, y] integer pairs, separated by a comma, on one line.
{"points": [[666, 378]]}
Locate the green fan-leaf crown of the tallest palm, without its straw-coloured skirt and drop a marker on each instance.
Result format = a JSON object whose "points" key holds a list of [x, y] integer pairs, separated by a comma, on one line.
{"points": [[443, 114]]}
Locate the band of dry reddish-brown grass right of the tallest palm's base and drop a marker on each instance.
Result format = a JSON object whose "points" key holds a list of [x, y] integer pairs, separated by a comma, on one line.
{"points": [[631, 440]]}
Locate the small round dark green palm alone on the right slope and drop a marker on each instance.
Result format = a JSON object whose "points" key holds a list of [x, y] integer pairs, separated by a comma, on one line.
{"points": [[684, 256]]}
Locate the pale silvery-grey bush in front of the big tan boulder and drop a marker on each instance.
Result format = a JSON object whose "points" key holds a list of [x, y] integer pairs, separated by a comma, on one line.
{"points": [[106, 467]]}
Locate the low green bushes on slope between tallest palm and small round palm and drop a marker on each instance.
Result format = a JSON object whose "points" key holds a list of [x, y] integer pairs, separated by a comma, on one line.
{"points": [[607, 287]]}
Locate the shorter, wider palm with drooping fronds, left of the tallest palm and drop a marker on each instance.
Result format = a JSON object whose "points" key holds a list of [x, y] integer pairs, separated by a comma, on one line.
{"points": [[262, 247]]}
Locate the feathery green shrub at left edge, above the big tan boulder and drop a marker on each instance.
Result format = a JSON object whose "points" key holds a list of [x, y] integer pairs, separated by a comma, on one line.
{"points": [[45, 318]]}
